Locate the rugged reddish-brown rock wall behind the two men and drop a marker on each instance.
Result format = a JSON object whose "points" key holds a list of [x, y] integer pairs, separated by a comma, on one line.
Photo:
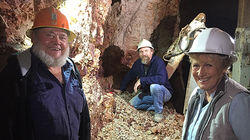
{"points": [[101, 26]]}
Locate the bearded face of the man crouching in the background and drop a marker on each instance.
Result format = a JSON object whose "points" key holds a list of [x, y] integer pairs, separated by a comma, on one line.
{"points": [[146, 54]]}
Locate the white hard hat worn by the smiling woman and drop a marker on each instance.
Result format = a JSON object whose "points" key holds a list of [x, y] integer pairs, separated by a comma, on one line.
{"points": [[214, 40]]}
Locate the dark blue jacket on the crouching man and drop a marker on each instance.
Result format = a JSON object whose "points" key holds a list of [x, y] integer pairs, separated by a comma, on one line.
{"points": [[156, 74]]}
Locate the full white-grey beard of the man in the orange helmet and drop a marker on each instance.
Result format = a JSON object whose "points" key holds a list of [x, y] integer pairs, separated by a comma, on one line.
{"points": [[47, 59]]}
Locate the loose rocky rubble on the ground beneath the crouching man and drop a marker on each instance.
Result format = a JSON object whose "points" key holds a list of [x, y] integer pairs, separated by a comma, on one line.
{"points": [[131, 124]]}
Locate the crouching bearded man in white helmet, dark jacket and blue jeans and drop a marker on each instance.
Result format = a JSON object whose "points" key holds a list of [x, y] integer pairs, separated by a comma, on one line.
{"points": [[152, 86]]}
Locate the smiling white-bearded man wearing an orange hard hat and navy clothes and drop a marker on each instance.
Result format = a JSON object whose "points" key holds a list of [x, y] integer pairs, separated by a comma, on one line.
{"points": [[43, 98]]}
